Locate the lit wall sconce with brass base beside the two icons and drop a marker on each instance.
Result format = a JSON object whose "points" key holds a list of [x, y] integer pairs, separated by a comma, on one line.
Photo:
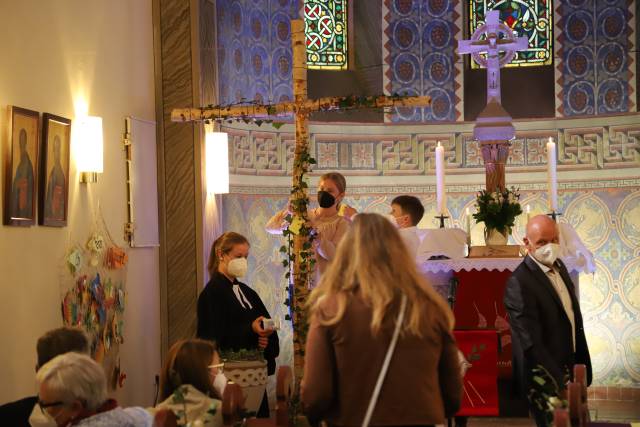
{"points": [[88, 146]]}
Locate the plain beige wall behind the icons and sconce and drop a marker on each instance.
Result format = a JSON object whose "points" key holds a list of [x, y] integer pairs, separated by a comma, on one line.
{"points": [[52, 53]]}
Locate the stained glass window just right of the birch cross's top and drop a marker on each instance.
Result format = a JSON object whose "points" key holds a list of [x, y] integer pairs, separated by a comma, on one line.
{"points": [[326, 34]]}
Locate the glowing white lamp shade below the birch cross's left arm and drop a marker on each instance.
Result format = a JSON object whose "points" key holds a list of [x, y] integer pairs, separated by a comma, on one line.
{"points": [[217, 166]]}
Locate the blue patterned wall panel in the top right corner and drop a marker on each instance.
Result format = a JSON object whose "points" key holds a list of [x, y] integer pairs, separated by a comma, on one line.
{"points": [[596, 59]]}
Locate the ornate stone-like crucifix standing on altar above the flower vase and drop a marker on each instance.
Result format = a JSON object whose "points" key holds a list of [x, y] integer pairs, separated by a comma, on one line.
{"points": [[493, 126]]}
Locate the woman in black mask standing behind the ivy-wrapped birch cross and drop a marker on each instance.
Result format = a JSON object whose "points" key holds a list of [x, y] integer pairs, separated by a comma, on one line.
{"points": [[330, 219]]}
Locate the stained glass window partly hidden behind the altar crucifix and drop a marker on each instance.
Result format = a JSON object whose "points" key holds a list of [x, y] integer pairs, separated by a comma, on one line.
{"points": [[530, 18]]}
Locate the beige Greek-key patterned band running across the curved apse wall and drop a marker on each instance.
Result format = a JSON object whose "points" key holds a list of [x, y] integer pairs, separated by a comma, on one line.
{"points": [[612, 146]]}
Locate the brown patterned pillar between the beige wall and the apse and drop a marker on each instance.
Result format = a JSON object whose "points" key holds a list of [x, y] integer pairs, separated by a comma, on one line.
{"points": [[179, 167]]}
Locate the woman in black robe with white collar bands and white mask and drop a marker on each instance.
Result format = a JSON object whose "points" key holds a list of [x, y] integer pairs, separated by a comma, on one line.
{"points": [[230, 312]]}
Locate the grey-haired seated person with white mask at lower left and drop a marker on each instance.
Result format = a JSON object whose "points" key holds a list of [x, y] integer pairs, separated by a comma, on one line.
{"points": [[73, 391]]}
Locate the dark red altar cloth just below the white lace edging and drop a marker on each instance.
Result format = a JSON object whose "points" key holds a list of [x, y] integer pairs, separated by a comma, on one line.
{"points": [[479, 306]]}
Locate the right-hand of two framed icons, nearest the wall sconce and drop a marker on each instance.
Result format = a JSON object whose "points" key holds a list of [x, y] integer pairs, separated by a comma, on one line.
{"points": [[54, 171]]}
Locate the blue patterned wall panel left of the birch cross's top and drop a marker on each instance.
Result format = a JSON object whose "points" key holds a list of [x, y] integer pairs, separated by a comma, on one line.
{"points": [[254, 49]]}
